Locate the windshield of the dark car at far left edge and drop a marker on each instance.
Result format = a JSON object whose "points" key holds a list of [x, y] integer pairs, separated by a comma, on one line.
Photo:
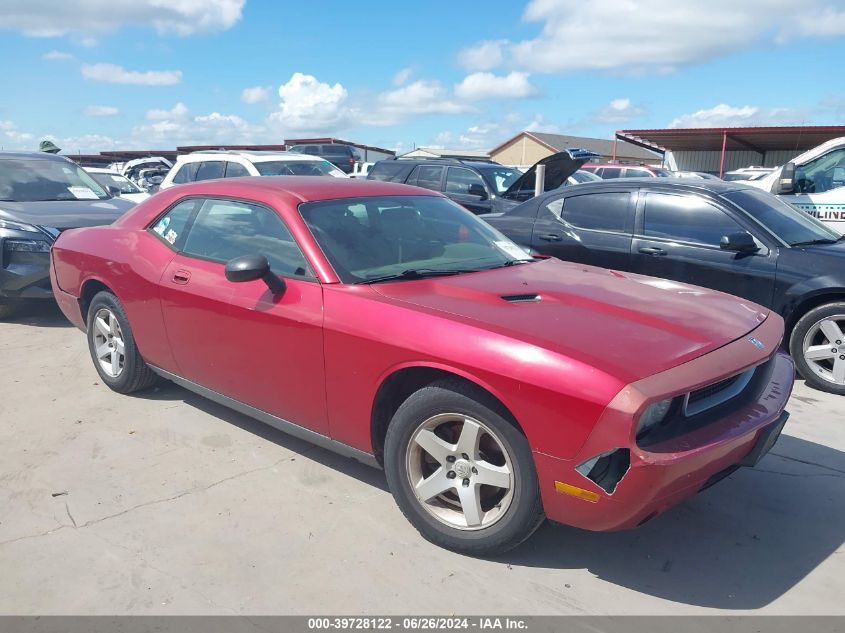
{"points": [[34, 180]]}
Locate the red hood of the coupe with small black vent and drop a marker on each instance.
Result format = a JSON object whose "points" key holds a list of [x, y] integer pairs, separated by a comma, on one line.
{"points": [[629, 326]]}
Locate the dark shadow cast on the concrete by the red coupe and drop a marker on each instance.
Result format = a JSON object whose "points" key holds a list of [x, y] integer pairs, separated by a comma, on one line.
{"points": [[739, 545]]}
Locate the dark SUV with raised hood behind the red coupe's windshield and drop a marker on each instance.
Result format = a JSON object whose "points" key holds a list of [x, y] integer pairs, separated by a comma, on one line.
{"points": [[480, 186]]}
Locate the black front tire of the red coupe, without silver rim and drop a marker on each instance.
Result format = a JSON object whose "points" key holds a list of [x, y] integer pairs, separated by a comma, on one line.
{"points": [[522, 516]]}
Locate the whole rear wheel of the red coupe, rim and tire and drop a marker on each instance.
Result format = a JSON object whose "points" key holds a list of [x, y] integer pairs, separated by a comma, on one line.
{"points": [[113, 348]]}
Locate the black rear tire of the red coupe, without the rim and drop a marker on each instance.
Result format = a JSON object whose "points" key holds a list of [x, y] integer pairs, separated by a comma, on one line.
{"points": [[135, 374]]}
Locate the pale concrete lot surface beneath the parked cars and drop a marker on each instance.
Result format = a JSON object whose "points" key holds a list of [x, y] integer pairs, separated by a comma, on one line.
{"points": [[167, 503]]}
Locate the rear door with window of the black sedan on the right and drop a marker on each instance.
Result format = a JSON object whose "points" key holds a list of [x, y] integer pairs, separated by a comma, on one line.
{"points": [[590, 228]]}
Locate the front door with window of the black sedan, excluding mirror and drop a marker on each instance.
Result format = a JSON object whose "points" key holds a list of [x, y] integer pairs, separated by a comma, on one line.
{"points": [[677, 236]]}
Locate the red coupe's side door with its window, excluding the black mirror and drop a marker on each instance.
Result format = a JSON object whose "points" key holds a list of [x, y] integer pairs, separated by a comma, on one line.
{"points": [[239, 339]]}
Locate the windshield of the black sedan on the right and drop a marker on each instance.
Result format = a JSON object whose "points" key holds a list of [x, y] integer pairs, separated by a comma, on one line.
{"points": [[786, 222]]}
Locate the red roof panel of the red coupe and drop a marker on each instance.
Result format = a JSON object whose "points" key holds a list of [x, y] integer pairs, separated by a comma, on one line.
{"points": [[301, 188]]}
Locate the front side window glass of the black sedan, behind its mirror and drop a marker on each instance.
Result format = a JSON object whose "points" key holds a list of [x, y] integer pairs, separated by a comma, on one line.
{"points": [[686, 219]]}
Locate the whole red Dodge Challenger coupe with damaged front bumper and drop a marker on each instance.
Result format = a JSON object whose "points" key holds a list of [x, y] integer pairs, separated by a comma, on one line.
{"points": [[385, 322]]}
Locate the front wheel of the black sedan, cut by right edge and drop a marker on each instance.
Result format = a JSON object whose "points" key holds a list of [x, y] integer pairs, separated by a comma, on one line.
{"points": [[817, 345]]}
